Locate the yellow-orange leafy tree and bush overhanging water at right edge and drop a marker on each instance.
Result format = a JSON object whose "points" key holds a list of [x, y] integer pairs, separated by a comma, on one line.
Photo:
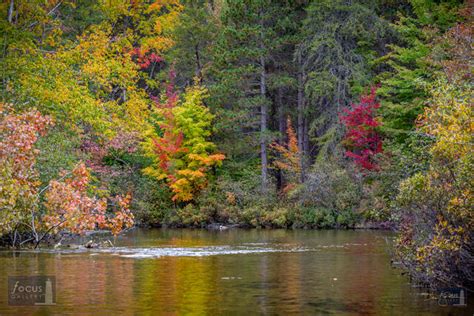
{"points": [[435, 243]]}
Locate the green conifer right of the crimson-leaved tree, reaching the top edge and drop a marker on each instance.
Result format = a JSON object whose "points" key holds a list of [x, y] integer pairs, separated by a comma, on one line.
{"points": [[408, 66]]}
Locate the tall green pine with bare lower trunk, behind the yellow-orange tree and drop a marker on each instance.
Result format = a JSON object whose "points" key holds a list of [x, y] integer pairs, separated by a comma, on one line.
{"points": [[244, 56]]}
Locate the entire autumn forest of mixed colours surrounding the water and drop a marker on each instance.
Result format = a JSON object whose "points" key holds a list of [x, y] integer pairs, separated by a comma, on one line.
{"points": [[324, 114]]}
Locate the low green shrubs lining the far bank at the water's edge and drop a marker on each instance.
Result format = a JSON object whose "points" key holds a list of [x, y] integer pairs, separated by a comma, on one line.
{"points": [[270, 213]]}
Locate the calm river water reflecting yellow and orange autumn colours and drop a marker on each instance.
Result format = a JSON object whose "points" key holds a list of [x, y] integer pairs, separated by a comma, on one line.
{"points": [[230, 272]]}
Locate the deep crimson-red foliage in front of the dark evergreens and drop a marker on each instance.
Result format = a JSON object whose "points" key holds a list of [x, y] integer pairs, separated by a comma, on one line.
{"points": [[361, 139]]}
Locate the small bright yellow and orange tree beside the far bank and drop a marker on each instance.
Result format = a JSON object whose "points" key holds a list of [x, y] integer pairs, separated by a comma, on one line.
{"points": [[179, 143]]}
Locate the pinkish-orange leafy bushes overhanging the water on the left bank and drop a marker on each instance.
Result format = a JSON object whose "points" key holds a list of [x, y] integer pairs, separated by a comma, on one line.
{"points": [[68, 204]]}
